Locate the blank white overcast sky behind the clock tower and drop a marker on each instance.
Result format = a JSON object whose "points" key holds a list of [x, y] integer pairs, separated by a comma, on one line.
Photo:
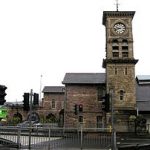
{"points": [[41, 40]]}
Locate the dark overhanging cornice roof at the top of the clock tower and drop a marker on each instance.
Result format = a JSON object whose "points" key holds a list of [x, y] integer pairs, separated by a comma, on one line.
{"points": [[117, 14]]}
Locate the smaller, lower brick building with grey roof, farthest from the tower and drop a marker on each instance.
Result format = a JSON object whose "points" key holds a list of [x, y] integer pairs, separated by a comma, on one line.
{"points": [[53, 103]]}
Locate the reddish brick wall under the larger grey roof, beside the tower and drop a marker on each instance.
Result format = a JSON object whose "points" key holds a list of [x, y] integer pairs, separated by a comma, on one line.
{"points": [[87, 95]]}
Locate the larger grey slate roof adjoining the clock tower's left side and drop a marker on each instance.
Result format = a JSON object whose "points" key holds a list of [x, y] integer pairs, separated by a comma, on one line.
{"points": [[84, 78]]}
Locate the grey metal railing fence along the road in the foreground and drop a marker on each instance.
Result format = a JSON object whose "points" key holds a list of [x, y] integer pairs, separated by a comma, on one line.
{"points": [[55, 138]]}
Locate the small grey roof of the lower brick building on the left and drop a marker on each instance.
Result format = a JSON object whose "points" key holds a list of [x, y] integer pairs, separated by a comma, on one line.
{"points": [[53, 89]]}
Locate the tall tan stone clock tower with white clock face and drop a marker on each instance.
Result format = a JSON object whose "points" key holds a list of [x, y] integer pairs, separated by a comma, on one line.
{"points": [[120, 64]]}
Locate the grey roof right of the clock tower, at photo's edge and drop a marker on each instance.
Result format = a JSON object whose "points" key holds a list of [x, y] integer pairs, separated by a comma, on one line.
{"points": [[143, 92]]}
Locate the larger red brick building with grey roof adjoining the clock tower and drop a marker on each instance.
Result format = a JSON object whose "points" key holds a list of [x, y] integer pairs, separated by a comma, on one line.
{"points": [[83, 90]]}
